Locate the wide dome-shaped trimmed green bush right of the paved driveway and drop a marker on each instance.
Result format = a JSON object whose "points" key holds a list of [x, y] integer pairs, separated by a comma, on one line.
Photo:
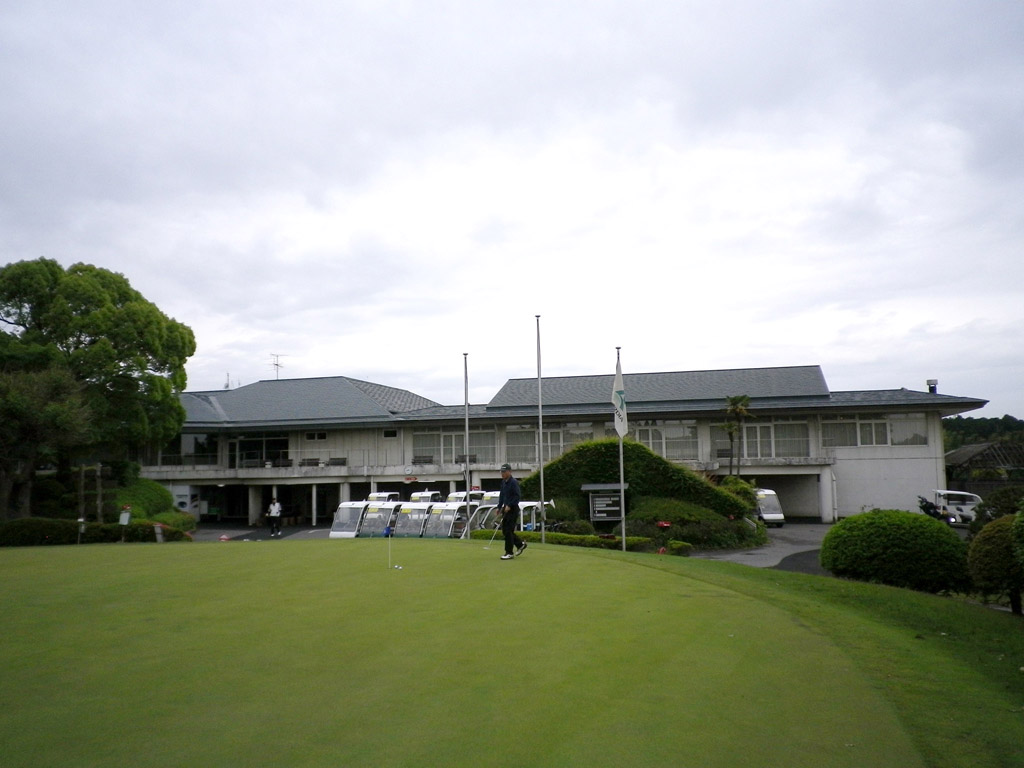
{"points": [[899, 548]]}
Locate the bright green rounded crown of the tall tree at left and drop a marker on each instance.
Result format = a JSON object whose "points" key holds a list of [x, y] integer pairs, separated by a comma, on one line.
{"points": [[129, 357]]}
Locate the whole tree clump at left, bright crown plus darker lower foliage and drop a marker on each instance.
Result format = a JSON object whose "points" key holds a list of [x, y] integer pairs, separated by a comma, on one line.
{"points": [[86, 363]]}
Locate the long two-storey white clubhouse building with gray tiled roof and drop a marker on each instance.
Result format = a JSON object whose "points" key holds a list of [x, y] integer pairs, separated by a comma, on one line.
{"points": [[316, 443]]}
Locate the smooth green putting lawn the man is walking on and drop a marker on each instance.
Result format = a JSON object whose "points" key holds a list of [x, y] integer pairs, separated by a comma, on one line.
{"points": [[318, 654]]}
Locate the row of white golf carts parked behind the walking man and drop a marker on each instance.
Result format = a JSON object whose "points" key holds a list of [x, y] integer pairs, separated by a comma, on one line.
{"points": [[426, 516]]}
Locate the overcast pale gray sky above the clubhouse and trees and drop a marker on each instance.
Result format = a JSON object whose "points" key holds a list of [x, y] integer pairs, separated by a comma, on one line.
{"points": [[374, 189]]}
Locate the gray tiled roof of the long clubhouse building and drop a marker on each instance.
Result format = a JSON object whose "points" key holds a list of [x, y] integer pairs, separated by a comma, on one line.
{"points": [[340, 401]]}
